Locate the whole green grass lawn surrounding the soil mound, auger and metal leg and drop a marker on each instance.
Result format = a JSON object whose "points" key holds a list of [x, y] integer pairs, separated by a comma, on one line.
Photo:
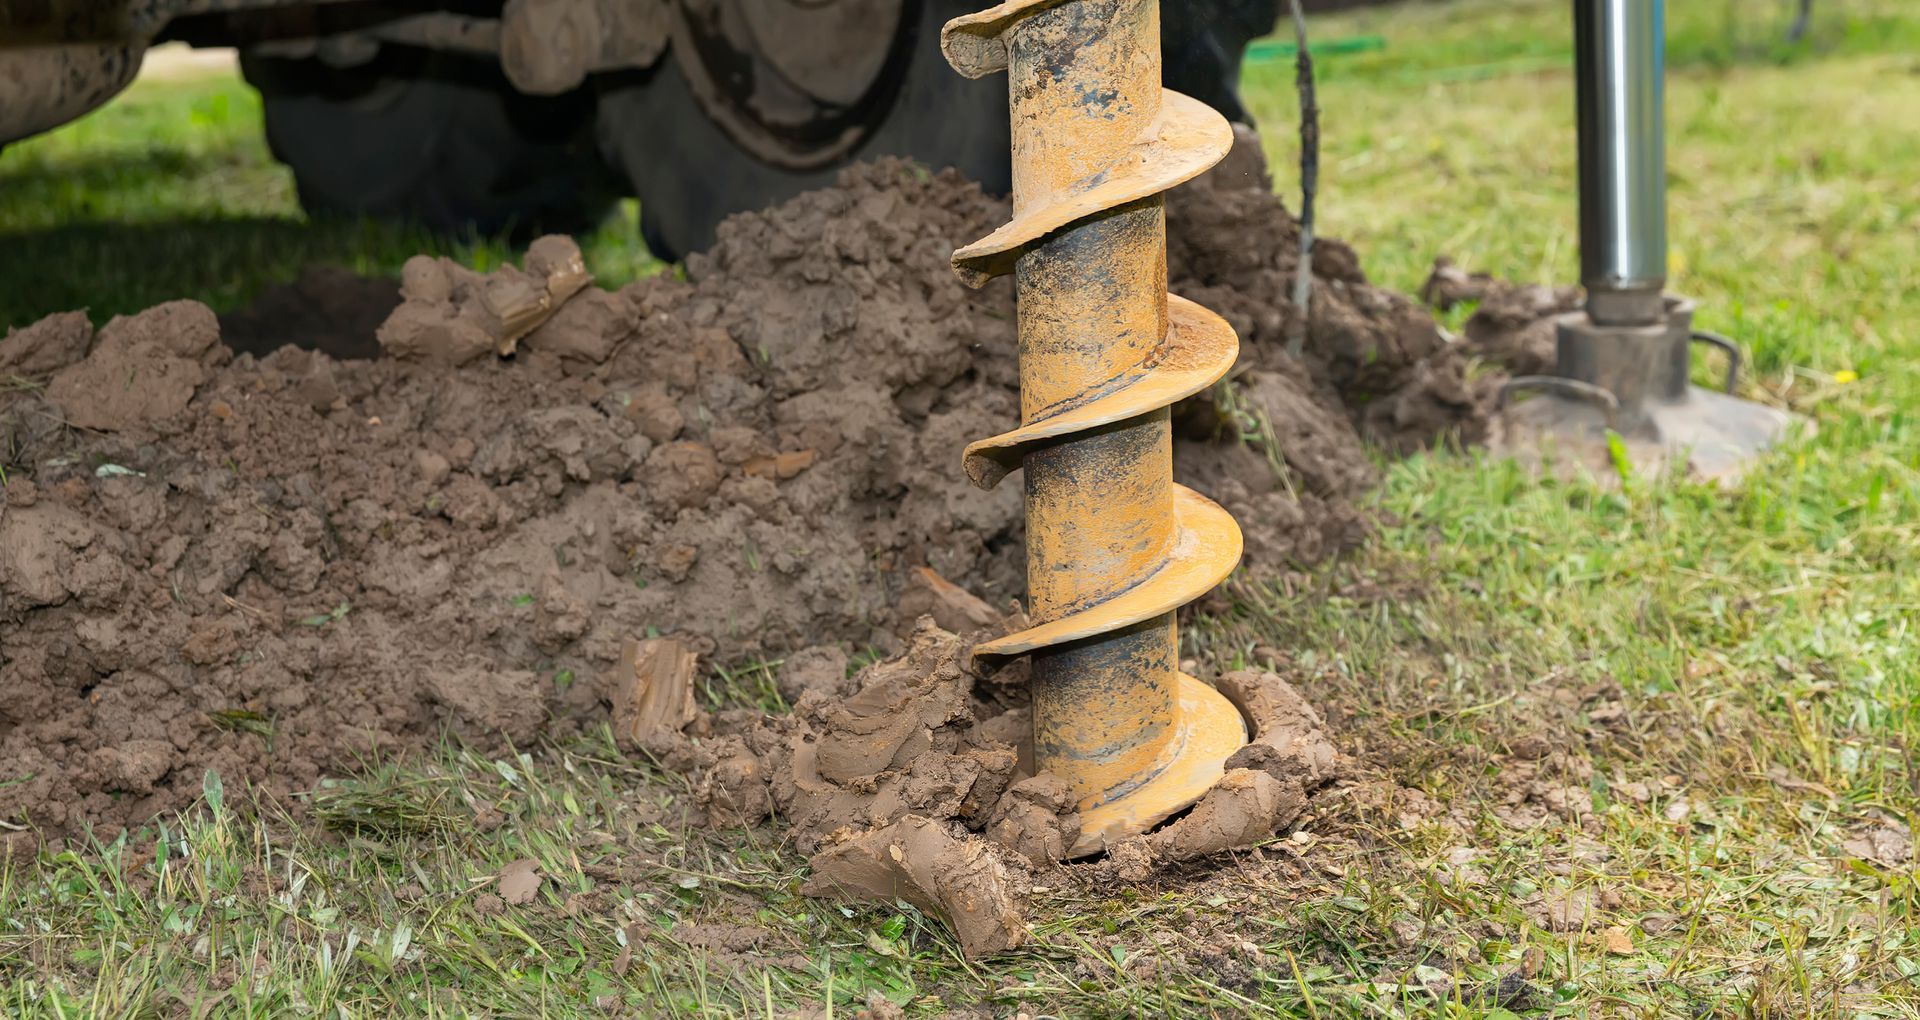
{"points": [[1723, 683]]}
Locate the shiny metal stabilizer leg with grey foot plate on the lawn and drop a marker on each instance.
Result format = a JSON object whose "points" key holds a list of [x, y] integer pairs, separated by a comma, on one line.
{"points": [[1623, 362]]}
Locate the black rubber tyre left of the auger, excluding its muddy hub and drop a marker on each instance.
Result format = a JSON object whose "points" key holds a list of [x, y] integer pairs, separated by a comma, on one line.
{"points": [[690, 174]]}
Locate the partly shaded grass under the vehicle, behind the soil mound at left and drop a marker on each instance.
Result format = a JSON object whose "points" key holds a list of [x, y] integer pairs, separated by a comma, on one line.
{"points": [[170, 191]]}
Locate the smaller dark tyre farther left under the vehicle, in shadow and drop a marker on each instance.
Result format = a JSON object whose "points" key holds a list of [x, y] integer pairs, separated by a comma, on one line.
{"points": [[437, 141]]}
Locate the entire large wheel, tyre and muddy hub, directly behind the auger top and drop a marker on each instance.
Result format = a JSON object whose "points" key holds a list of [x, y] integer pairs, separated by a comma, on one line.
{"points": [[698, 157]]}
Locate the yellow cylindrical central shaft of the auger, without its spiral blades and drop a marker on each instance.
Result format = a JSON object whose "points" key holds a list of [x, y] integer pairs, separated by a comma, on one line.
{"points": [[1093, 304]]}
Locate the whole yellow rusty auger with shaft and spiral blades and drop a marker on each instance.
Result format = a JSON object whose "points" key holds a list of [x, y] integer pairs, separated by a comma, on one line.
{"points": [[1115, 548]]}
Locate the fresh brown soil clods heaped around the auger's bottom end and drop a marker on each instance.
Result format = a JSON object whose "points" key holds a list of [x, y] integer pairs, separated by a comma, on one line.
{"points": [[911, 781]]}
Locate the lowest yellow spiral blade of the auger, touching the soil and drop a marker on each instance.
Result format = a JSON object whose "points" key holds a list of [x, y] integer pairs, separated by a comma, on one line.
{"points": [[1211, 733]]}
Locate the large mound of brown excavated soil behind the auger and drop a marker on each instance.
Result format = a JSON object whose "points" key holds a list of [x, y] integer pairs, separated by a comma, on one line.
{"points": [[276, 564]]}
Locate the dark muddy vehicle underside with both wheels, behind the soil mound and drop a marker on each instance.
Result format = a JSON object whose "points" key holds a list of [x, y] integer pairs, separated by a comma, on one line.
{"points": [[471, 114]]}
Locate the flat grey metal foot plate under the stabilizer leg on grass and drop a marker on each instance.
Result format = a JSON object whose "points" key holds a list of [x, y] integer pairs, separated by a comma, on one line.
{"points": [[1710, 435]]}
